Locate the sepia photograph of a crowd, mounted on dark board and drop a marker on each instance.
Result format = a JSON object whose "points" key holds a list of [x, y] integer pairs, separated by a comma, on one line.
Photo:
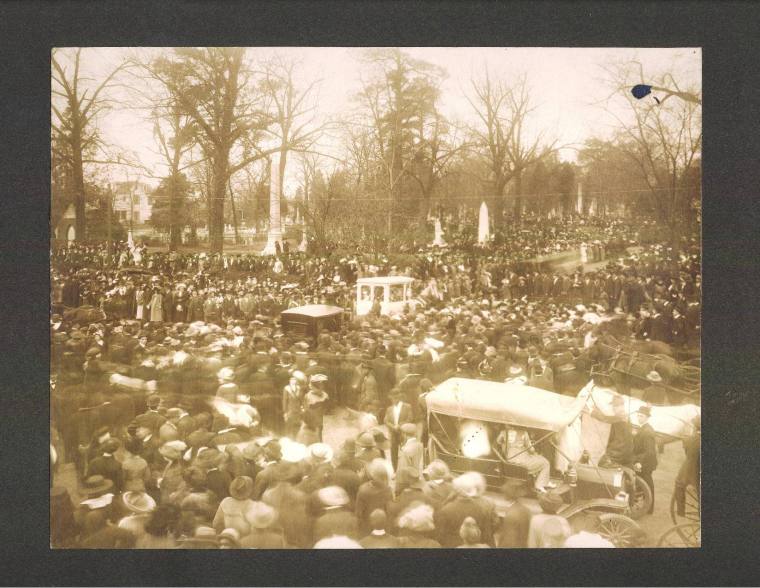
{"points": [[375, 297]]}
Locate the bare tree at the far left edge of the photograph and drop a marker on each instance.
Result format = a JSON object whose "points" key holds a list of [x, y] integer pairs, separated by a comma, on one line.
{"points": [[75, 140]]}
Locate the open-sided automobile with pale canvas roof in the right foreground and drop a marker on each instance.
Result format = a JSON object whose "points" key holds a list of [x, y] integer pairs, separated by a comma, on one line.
{"points": [[466, 424]]}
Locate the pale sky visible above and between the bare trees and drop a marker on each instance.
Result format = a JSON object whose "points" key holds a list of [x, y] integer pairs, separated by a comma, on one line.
{"points": [[567, 87]]}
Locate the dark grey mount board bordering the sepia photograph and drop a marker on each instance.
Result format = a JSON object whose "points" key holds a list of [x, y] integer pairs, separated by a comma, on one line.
{"points": [[727, 34]]}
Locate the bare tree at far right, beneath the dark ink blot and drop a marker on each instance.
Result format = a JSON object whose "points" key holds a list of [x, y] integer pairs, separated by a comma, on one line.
{"points": [[665, 142]]}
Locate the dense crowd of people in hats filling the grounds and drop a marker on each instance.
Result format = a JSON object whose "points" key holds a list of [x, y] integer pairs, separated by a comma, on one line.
{"points": [[195, 421]]}
